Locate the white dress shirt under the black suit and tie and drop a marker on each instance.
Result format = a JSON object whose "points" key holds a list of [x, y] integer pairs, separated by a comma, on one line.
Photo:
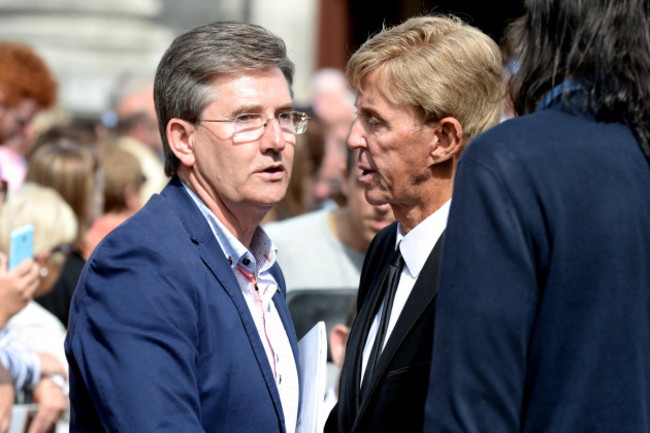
{"points": [[415, 247]]}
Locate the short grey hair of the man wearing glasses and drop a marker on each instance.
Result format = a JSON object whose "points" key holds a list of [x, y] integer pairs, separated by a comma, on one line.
{"points": [[182, 84]]}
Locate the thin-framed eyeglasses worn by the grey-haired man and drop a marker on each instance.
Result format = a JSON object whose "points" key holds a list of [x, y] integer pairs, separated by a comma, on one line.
{"points": [[251, 126]]}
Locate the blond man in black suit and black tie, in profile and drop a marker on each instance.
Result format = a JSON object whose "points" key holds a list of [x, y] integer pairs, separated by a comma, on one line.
{"points": [[424, 89]]}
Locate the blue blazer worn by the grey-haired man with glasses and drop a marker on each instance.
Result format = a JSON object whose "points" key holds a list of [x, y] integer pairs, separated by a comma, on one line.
{"points": [[160, 337]]}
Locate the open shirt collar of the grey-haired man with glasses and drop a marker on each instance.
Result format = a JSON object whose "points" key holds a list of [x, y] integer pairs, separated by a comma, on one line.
{"points": [[262, 253]]}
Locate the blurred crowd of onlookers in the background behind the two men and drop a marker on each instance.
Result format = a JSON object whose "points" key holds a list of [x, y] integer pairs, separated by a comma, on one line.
{"points": [[76, 179]]}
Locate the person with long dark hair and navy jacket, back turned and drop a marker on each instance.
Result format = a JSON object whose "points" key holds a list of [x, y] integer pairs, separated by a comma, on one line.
{"points": [[543, 320]]}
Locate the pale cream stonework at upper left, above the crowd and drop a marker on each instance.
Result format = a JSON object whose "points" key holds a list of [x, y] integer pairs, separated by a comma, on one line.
{"points": [[89, 44]]}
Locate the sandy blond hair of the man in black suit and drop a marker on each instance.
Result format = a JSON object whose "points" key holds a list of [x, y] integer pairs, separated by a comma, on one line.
{"points": [[440, 65]]}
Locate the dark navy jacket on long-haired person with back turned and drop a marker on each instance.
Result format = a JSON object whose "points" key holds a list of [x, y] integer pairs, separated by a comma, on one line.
{"points": [[543, 319]]}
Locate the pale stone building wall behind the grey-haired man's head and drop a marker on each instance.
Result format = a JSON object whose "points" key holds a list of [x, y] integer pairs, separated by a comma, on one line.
{"points": [[90, 45]]}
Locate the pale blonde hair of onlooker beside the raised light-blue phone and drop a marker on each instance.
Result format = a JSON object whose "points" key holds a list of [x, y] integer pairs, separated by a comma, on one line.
{"points": [[54, 221]]}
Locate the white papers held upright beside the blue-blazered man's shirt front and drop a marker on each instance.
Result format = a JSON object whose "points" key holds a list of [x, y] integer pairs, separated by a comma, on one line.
{"points": [[312, 357]]}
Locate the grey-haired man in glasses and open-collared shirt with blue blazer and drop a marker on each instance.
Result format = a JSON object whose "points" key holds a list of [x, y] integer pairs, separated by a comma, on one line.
{"points": [[179, 320]]}
